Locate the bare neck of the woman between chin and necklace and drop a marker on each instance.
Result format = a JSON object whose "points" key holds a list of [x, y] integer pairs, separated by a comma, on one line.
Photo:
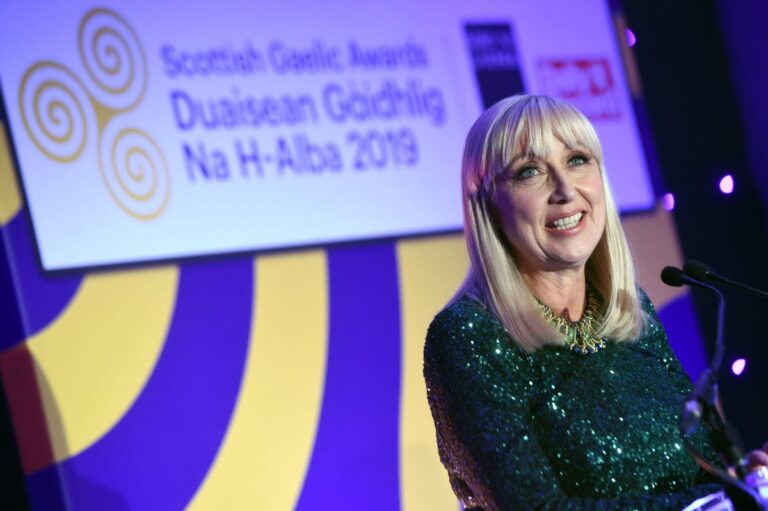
{"points": [[562, 291]]}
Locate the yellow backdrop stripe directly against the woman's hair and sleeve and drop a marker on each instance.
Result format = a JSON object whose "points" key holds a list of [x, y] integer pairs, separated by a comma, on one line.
{"points": [[430, 271]]}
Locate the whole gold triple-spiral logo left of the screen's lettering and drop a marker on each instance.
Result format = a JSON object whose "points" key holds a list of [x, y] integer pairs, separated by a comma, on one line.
{"points": [[61, 112]]}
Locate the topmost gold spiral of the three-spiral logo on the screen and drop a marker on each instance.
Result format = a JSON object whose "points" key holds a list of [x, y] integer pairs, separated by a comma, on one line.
{"points": [[113, 59]]}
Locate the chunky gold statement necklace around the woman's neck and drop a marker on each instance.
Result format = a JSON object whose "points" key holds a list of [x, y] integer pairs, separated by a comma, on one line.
{"points": [[580, 336]]}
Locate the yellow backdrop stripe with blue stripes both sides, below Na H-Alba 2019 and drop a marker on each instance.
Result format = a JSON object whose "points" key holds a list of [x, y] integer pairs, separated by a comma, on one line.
{"points": [[266, 452]]}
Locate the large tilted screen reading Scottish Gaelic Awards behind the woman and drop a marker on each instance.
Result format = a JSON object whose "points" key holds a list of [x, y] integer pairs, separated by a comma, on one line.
{"points": [[148, 131]]}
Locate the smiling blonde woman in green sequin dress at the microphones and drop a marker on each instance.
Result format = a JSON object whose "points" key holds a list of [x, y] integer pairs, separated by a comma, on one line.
{"points": [[550, 378]]}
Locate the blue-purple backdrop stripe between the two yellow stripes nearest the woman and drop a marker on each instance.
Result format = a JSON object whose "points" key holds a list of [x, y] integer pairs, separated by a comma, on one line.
{"points": [[355, 460]]}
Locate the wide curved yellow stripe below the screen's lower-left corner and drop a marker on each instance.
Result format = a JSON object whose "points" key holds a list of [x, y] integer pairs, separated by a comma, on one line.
{"points": [[93, 360]]}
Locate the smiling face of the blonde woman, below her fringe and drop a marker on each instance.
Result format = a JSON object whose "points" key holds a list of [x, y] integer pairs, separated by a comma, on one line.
{"points": [[552, 209]]}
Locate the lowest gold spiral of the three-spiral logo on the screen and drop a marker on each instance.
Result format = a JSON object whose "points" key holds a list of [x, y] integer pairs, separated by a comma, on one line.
{"points": [[136, 173]]}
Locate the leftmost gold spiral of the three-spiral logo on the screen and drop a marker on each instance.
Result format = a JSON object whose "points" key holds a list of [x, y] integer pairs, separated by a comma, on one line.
{"points": [[51, 102]]}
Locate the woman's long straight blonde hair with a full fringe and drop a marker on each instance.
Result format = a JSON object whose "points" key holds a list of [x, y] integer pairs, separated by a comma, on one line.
{"points": [[529, 125]]}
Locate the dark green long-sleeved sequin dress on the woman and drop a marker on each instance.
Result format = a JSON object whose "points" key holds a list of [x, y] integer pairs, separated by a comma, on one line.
{"points": [[556, 429]]}
